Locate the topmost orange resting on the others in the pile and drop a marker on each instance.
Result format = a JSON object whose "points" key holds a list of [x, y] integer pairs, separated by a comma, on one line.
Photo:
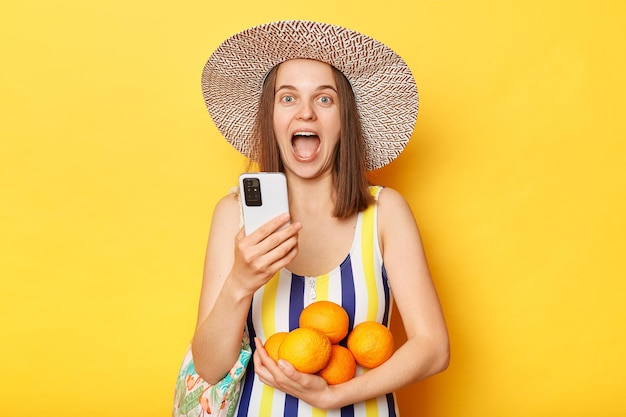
{"points": [[327, 317]]}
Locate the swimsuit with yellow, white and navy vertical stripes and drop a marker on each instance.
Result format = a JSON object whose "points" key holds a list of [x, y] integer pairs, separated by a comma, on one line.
{"points": [[359, 285]]}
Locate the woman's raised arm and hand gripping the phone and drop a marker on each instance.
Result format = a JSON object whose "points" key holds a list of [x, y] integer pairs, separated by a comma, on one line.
{"points": [[235, 267]]}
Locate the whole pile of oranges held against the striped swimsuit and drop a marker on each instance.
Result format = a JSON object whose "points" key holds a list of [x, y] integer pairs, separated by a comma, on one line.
{"points": [[313, 347]]}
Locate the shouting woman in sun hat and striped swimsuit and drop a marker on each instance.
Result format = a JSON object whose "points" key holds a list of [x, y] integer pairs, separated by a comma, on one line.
{"points": [[323, 105]]}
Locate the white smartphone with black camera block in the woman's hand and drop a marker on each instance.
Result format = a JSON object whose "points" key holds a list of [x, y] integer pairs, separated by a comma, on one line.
{"points": [[263, 196]]}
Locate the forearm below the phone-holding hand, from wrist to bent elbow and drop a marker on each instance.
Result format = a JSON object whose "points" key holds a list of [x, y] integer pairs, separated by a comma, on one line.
{"points": [[217, 340]]}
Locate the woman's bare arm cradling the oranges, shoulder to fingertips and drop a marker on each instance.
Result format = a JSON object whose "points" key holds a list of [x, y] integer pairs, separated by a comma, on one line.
{"points": [[426, 350]]}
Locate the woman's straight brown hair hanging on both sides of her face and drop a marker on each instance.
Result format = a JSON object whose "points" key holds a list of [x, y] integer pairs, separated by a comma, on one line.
{"points": [[349, 172]]}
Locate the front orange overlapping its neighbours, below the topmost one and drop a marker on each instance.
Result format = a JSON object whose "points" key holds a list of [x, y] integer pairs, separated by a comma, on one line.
{"points": [[308, 350]]}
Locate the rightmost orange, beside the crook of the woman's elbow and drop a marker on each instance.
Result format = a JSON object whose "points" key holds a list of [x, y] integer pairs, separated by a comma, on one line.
{"points": [[371, 343]]}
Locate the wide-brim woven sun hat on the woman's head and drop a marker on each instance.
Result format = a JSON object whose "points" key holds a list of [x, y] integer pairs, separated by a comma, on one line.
{"points": [[384, 87]]}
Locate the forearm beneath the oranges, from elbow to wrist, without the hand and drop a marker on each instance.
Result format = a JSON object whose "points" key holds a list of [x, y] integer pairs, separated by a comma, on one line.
{"points": [[415, 360]]}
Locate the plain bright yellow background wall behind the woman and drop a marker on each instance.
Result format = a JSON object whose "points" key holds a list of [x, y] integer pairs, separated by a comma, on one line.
{"points": [[110, 167]]}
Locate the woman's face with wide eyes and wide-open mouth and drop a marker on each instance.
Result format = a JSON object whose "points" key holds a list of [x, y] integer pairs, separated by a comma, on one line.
{"points": [[306, 117]]}
